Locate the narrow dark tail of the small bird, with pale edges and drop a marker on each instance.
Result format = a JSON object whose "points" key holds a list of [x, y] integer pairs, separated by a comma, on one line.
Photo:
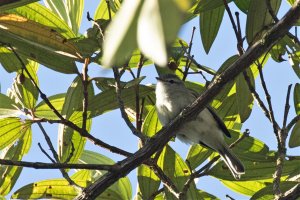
{"points": [[234, 164]]}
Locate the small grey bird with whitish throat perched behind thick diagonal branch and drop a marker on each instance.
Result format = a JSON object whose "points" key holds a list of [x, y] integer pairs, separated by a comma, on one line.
{"points": [[207, 128]]}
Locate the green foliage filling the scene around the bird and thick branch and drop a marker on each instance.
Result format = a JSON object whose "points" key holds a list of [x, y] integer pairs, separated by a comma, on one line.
{"points": [[127, 36]]}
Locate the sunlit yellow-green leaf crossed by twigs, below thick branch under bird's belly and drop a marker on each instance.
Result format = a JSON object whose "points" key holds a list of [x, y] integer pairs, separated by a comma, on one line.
{"points": [[177, 170]]}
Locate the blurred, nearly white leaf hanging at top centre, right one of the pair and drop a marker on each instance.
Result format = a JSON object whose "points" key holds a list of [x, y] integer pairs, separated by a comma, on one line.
{"points": [[157, 28]]}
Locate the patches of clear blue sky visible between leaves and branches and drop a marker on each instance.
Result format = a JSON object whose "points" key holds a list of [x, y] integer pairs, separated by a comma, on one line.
{"points": [[111, 129]]}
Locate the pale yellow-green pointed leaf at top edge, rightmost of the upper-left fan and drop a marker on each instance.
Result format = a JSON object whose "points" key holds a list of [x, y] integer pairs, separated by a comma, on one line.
{"points": [[75, 10]]}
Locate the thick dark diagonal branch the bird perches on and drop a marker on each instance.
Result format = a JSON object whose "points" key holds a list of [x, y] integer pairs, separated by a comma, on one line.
{"points": [[166, 133]]}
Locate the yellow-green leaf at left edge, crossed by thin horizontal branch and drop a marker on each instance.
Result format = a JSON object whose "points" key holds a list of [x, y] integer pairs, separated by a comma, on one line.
{"points": [[10, 174]]}
